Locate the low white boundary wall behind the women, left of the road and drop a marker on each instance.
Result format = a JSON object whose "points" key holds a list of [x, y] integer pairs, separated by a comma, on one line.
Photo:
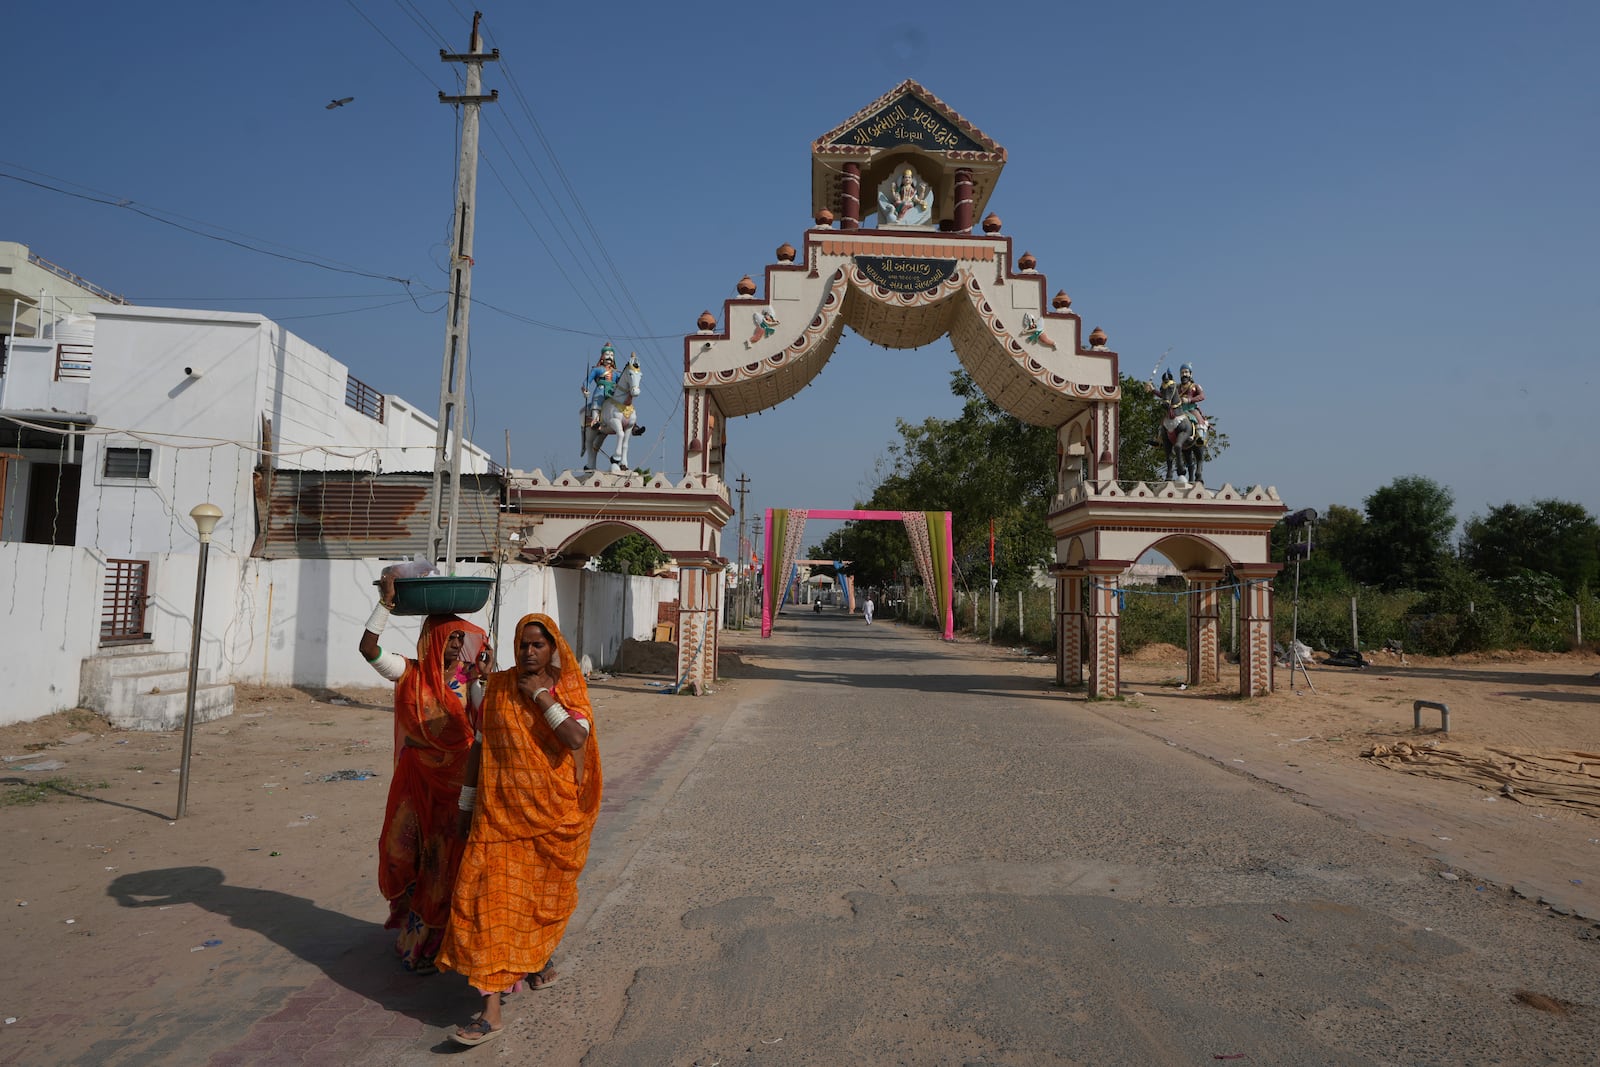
{"points": [[289, 623]]}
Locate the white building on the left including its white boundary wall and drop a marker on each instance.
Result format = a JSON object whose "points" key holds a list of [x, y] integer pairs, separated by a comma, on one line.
{"points": [[116, 422]]}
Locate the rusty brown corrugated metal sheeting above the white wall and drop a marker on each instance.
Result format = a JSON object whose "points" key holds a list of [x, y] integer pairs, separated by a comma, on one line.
{"points": [[356, 514]]}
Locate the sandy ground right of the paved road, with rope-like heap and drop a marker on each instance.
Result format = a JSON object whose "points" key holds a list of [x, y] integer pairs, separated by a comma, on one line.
{"points": [[1511, 794]]}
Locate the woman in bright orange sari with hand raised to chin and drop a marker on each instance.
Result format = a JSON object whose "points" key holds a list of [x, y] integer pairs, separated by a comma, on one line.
{"points": [[532, 796]]}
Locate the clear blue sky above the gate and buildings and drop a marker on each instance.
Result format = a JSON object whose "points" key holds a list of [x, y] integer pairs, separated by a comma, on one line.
{"points": [[1372, 228]]}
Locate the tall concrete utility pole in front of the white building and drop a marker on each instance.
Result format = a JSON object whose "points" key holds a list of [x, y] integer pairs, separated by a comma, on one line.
{"points": [[454, 383]]}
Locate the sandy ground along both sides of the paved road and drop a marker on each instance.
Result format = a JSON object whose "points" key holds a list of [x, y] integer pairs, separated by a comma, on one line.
{"points": [[89, 810]]}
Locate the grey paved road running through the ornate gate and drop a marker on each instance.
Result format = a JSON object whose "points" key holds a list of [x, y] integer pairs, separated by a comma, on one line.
{"points": [[878, 849]]}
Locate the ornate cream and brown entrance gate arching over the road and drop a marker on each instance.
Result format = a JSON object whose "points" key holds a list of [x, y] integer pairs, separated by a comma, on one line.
{"points": [[929, 270]]}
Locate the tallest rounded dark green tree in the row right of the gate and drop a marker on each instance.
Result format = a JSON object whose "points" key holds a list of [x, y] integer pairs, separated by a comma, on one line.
{"points": [[1407, 537]]}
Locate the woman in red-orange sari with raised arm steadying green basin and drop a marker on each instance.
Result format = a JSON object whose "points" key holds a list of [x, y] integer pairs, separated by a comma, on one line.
{"points": [[436, 719]]}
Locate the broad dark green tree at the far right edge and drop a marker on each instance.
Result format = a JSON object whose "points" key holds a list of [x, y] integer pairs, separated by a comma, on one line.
{"points": [[1554, 538]]}
